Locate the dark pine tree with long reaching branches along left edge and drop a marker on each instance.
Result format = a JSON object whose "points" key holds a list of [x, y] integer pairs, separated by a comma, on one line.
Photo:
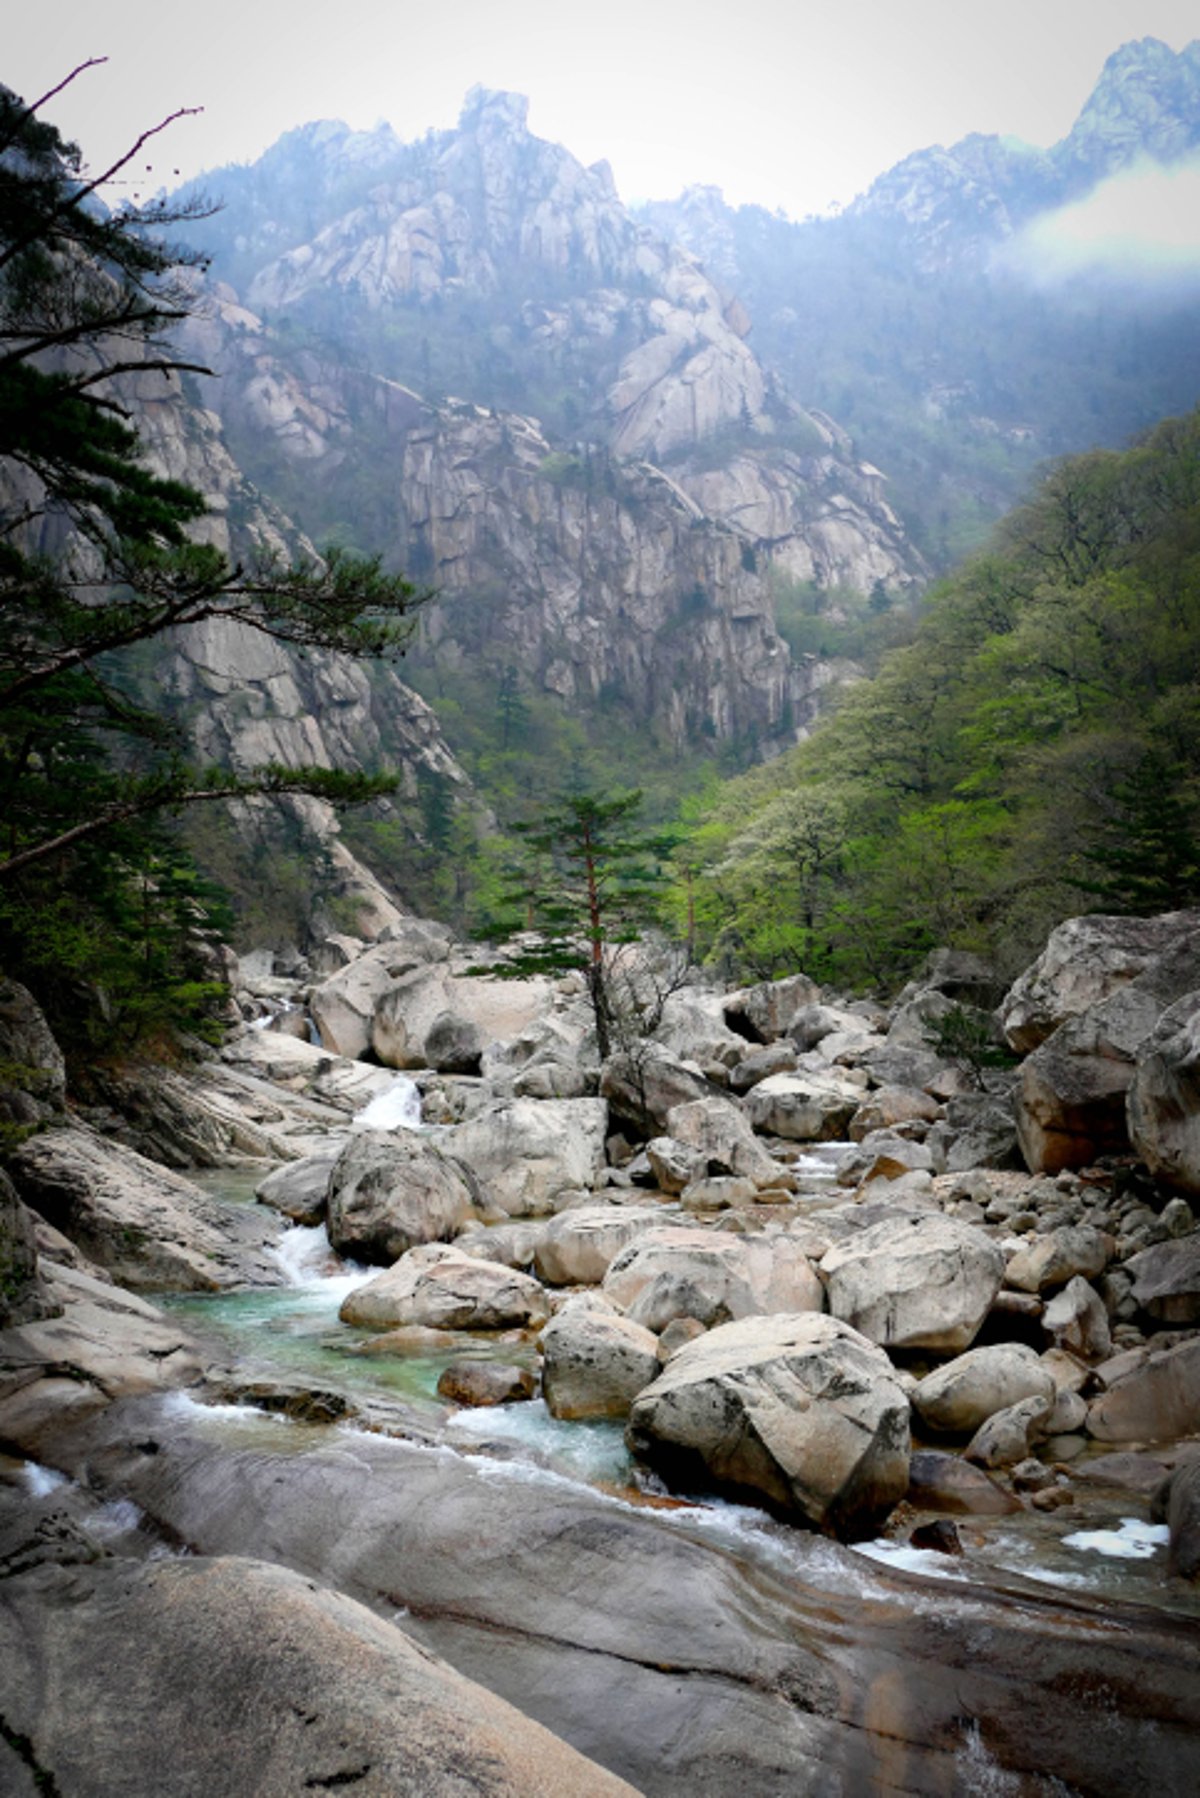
{"points": [[98, 555]]}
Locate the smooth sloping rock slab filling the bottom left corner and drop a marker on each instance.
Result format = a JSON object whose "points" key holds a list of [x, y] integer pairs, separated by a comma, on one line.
{"points": [[172, 1648]]}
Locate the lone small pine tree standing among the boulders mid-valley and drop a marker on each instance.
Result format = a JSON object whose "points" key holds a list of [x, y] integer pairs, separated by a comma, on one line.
{"points": [[589, 895]]}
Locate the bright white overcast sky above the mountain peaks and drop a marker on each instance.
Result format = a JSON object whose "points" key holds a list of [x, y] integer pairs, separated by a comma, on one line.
{"points": [[787, 103]]}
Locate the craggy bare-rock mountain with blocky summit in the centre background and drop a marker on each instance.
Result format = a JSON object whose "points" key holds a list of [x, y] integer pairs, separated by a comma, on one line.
{"points": [[467, 355]]}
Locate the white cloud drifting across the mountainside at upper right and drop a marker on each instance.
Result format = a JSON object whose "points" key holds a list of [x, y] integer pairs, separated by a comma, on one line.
{"points": [[1136, 231]]}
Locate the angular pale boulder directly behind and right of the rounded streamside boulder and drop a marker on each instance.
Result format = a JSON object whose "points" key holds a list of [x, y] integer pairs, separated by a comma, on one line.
{"points": [[528, 1152]]}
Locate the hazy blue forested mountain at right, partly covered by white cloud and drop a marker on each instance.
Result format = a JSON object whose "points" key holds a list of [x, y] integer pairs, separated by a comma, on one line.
{"points": [[927, 321]]}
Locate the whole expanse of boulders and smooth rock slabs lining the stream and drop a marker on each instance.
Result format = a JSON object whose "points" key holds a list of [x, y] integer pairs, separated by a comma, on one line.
{"points": [[805, 1259]]}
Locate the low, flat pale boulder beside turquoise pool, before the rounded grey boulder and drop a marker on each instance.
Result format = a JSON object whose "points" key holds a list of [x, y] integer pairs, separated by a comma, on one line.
{"points": [[445, 1290]]}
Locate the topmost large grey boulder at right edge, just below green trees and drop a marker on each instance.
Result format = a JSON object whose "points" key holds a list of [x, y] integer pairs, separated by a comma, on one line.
{"points": [[1084, 963]]}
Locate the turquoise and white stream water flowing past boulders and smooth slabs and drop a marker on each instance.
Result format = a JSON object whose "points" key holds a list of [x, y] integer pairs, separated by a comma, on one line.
{"points": [[292, 1335]]}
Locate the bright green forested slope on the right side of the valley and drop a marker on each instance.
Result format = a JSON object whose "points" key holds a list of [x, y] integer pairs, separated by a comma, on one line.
{"points": [[1034, 751]]}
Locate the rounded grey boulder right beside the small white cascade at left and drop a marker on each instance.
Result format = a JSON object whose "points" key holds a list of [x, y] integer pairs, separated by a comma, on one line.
{"points": [[391, 1191]]}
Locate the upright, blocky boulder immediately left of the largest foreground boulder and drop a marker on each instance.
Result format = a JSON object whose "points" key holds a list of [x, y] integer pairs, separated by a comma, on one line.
{"points": [[595, 1360]]}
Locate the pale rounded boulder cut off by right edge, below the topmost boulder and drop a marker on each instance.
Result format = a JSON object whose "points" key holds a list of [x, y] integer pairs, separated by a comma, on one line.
{"points": [[1165, 1098]]}
